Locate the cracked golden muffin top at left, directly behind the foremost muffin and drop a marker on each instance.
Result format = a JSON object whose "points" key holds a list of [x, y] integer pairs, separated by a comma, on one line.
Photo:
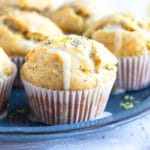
{"points": [[20, 30]]}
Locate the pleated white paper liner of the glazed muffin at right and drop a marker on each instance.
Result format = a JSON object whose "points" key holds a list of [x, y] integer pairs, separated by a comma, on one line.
{"points": [[133, 73]]}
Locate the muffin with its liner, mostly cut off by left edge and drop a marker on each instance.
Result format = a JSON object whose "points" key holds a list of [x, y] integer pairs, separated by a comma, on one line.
{"points": [[7, 75]]}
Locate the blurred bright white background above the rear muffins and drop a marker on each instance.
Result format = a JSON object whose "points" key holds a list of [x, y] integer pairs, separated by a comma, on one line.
{"points": [[137, 7]]}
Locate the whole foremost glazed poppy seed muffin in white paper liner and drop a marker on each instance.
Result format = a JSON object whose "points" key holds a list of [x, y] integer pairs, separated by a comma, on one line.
{"points": [[68, 80]]}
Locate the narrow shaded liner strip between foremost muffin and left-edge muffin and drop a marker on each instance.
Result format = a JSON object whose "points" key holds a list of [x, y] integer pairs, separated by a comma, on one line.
{"points": [[19, 61]]}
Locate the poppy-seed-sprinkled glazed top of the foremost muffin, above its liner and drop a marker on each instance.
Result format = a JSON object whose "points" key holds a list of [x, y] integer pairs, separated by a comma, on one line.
{"points": [[69, 63]]}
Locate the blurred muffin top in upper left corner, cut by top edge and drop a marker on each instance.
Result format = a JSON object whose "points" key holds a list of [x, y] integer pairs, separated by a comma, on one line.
{"points": [[37, 5]]}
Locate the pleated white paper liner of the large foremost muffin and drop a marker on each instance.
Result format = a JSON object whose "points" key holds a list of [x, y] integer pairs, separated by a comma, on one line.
{"points": [[64, 107]]}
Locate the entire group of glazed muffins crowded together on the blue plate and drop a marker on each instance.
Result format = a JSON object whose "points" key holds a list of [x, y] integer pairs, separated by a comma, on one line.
{"points": [[69, 78]]}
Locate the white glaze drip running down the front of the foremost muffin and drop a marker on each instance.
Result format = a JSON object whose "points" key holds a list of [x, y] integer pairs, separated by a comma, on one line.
{"points": [[66, 66]]}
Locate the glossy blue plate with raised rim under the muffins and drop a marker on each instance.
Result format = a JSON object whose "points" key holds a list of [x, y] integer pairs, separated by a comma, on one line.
{"points": [[17, 126]]}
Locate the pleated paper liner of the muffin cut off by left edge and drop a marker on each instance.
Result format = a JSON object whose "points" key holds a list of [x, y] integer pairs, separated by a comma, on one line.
{"points": [[5, 89]]}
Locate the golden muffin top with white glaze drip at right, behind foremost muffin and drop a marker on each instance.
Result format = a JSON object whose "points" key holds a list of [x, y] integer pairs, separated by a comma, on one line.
{"points": [[121, 35]]}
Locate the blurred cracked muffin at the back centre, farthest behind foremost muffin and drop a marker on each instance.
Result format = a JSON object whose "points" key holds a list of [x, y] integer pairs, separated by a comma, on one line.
{"points": [[76, 16]]}
